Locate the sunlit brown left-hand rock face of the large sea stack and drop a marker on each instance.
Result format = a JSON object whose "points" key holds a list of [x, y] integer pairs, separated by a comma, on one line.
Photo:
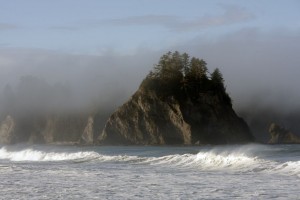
{"points": [[145, 119]]}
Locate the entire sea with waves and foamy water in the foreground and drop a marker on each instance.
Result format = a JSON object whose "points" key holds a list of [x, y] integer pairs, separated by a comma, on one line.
{"points": [[148, 172]]}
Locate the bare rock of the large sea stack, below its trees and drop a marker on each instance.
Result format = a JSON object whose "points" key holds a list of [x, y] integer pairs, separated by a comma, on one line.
{"points": [[205, 118]]}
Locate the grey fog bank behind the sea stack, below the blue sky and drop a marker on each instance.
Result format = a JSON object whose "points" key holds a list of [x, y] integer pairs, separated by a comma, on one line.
{"points": [[260, 69]]}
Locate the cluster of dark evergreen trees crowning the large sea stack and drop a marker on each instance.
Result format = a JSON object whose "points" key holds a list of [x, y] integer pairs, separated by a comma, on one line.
{"points": [[177, 73]]}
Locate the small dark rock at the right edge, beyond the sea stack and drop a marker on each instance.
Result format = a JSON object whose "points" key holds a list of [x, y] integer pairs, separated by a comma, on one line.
{"points": [[280, 135]]}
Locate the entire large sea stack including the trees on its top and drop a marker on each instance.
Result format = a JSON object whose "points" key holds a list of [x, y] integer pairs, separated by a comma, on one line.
{"points": [[179, 102]]}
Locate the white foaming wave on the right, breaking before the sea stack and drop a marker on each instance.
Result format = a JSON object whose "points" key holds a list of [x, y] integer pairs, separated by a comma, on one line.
{"points": [[238, 162]]}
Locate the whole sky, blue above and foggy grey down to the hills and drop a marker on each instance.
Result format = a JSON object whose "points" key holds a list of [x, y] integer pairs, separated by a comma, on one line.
{"points": [[105, 48]]}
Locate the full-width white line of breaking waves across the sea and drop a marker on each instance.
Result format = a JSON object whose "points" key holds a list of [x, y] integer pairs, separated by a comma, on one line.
{"points": [[207, 160]]}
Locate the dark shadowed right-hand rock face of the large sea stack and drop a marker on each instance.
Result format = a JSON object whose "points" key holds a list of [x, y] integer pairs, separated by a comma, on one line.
{"points": [[213, 121]]}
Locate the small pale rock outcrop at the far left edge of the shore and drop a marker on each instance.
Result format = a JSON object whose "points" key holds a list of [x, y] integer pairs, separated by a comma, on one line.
{"points": [[7, 129]]}
